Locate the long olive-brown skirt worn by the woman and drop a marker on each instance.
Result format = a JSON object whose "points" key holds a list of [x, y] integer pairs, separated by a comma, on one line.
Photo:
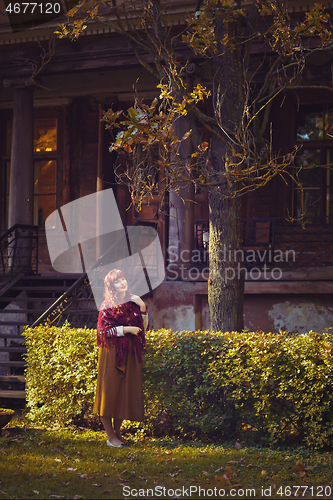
{"points": [[119, 391]]}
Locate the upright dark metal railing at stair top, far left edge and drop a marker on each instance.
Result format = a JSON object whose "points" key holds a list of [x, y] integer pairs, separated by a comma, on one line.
{"points": [[18, 250]]}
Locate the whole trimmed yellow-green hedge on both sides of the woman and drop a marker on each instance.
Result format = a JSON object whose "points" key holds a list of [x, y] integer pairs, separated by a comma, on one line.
{"points": [[264, 387]]}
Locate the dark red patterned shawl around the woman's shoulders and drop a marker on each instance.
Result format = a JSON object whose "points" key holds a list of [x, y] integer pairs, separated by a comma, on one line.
{"points": [[127, 314]]}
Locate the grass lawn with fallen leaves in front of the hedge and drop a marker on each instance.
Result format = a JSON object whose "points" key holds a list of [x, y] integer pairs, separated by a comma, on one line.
{"points": [[76, 463]]}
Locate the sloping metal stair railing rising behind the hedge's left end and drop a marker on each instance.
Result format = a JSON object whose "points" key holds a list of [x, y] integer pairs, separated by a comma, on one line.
{"points": [[77, 305]]}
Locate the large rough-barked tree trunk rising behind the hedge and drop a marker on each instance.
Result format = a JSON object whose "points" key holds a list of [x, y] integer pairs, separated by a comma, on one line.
{"points": [[226, 276]]}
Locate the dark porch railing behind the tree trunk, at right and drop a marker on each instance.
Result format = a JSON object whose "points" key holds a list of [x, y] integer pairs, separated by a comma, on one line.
{"points": [[276, 241]]}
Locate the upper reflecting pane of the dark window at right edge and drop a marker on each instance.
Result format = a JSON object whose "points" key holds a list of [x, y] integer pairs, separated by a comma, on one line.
{"points": [[309, 123]]}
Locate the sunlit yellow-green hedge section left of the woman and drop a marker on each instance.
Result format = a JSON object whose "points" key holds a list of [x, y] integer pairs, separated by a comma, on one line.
{"points": [[61, 373]]}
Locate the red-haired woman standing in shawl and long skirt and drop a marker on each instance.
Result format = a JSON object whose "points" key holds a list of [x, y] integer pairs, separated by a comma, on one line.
{"points": [[121, 324]]}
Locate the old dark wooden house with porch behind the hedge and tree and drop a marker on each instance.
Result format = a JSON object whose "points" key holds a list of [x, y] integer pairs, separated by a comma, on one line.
{"points": [[54, 149]]}
